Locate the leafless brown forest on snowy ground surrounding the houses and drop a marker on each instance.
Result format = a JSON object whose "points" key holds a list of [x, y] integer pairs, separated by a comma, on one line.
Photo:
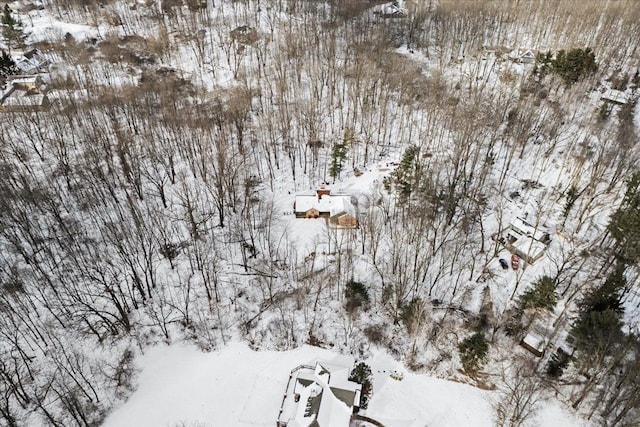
{"points": [[144, 206]]}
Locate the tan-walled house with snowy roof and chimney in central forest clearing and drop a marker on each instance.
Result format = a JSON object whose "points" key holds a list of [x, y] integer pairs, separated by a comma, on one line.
{"points": [[337, 209]]}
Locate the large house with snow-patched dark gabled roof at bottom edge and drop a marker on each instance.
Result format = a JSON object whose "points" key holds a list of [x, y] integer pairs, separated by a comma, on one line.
{"points": [[320, 395]]}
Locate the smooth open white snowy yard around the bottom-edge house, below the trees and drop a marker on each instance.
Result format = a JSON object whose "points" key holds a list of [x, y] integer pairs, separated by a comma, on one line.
{"points": [[182, 386]]}
